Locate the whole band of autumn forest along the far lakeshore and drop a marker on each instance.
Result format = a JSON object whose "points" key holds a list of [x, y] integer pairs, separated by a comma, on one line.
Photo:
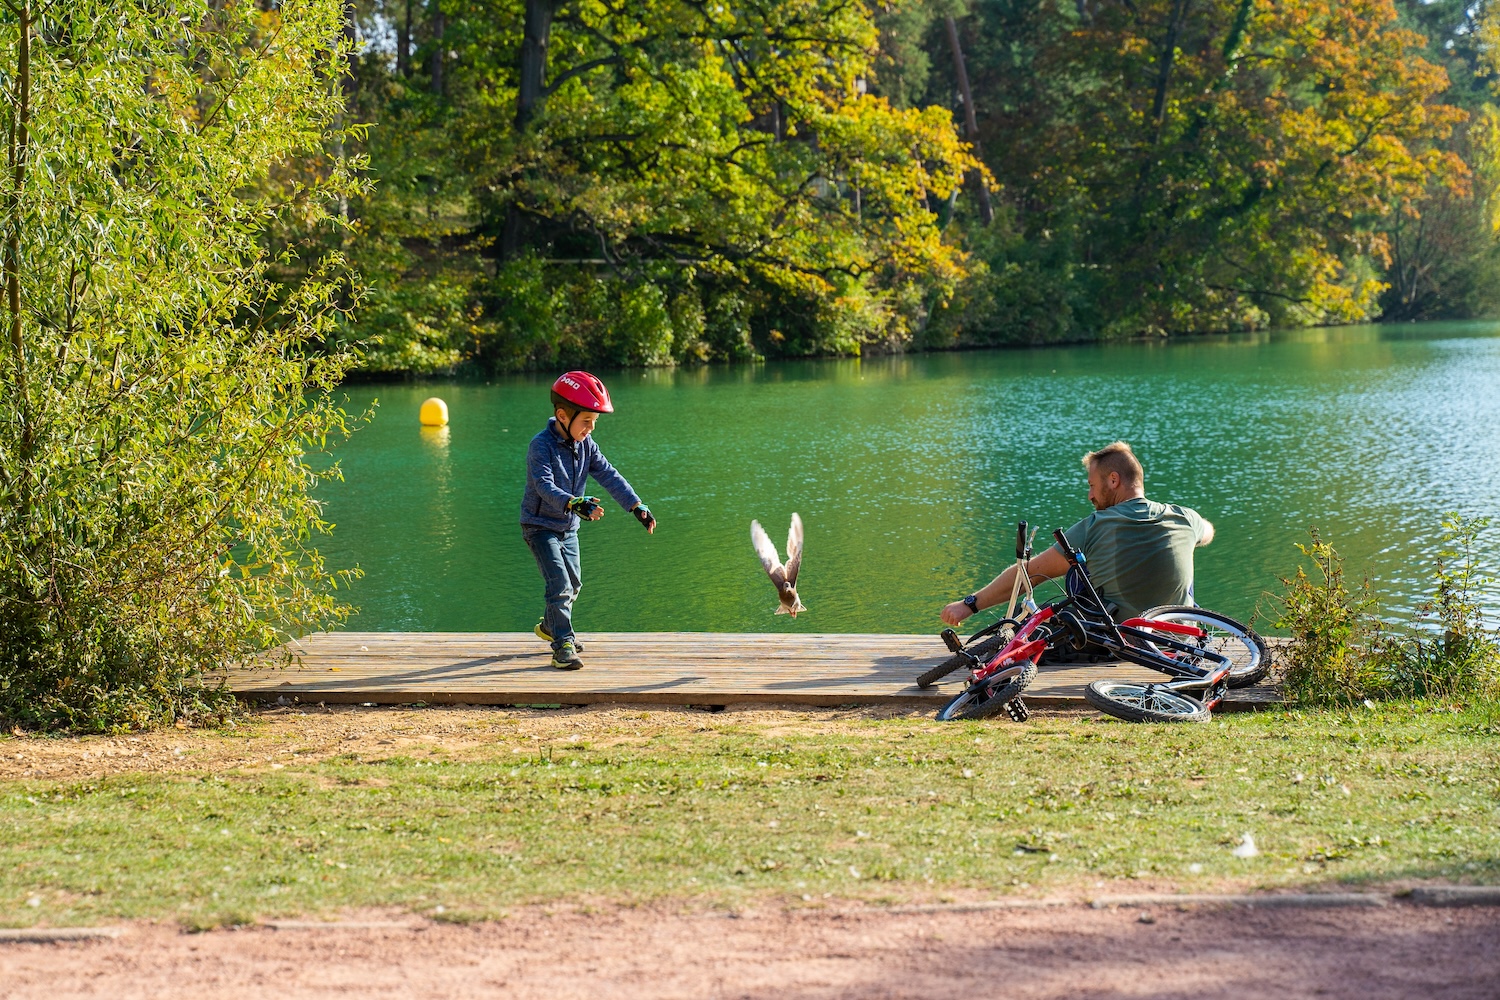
{"points": [[665, 182]]}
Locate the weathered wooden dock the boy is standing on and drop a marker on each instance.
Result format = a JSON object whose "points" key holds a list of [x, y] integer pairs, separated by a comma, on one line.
{"points": [[701, 669]]}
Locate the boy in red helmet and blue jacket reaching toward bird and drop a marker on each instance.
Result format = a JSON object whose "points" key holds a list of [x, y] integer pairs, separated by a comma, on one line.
{"points": [[559, 466]]}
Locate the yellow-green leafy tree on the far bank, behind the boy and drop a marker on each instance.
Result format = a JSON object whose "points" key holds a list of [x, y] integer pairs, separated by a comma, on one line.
{"points": [[730, 176]]}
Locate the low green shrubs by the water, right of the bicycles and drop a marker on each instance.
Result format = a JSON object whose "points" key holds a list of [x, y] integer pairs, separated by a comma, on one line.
{"points": [[1343, 653]]}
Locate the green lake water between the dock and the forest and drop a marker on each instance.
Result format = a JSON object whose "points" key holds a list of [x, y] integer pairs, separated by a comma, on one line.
{"points": [[911, 473]]}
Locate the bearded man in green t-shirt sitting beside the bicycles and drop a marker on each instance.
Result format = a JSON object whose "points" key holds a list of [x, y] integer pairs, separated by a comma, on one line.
{"points": [[1139, 552]]}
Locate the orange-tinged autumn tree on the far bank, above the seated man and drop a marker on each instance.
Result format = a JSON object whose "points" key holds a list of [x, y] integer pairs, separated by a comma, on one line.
{"points": [[1186, 166]]}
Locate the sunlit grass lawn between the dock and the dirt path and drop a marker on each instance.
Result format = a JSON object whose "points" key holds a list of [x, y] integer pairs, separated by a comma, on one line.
{"points": [[479, 810]]}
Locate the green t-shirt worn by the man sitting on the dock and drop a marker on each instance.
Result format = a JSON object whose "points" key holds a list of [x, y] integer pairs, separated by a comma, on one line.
{"points": [[1141, 554]]}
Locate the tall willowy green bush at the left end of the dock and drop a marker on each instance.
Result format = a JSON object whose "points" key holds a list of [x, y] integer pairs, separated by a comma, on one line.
{"points": [[163, 391]]}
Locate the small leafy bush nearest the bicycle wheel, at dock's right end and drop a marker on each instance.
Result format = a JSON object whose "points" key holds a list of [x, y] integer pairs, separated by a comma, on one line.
{"points": [[1334, 633]]}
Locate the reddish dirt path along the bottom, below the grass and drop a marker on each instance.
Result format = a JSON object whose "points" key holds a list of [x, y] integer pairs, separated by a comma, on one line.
{"points": [[1231, 954]]}
